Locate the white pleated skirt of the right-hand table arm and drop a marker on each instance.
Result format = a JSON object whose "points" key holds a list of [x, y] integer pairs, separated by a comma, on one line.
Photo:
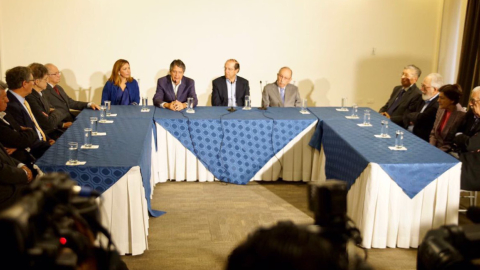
{"points": [[386, 216]]}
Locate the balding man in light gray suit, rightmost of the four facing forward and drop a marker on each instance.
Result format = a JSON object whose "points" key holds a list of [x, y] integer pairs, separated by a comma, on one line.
{"points": [[281, 93]]}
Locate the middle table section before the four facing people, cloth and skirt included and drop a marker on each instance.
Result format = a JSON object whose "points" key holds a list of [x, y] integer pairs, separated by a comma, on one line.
{"points": [[234, 147]]}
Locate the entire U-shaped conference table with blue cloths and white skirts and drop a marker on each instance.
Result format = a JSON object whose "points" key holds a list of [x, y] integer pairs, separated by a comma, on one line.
{"points": [[391, 207]]}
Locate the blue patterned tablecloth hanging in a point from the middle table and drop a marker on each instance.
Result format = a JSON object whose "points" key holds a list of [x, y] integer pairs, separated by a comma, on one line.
{"points": [[234, 146]]}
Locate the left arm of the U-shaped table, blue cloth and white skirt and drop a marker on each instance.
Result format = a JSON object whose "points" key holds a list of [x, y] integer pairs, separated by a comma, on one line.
{"points": [[120, 169]]}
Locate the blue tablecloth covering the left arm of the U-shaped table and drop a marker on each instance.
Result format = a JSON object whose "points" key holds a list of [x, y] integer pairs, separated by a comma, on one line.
{"points": [[127, 144]]}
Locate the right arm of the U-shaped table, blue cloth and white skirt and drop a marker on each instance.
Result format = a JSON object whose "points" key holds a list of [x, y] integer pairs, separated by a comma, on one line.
{"points": [[395, 197]]}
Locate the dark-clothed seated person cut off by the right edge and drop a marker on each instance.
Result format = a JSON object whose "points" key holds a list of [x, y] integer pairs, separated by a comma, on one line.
{"points": [[467, 143]]}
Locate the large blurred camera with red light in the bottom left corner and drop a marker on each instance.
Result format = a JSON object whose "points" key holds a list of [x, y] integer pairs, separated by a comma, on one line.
{"points": [[54, 226]]}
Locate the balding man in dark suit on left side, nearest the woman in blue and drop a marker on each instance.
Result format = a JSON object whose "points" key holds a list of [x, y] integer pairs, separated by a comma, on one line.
{"points": [[59, 99]]}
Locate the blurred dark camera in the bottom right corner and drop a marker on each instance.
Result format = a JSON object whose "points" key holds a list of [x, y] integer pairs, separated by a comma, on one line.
{"points": [[452, 246]]}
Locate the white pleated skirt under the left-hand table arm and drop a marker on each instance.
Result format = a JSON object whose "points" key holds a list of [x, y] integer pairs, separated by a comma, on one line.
{"points": [[124, 210]]}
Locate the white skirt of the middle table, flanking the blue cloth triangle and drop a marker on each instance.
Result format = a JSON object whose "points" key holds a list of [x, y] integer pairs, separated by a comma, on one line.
{"points": [[175, 162]]}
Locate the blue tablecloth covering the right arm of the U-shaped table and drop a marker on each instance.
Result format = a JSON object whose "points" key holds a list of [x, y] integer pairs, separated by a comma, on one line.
{"points": [[349, 148]]}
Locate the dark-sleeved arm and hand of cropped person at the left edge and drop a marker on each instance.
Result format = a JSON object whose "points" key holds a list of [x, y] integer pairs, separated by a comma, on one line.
{"points": [[13, 177]]}
